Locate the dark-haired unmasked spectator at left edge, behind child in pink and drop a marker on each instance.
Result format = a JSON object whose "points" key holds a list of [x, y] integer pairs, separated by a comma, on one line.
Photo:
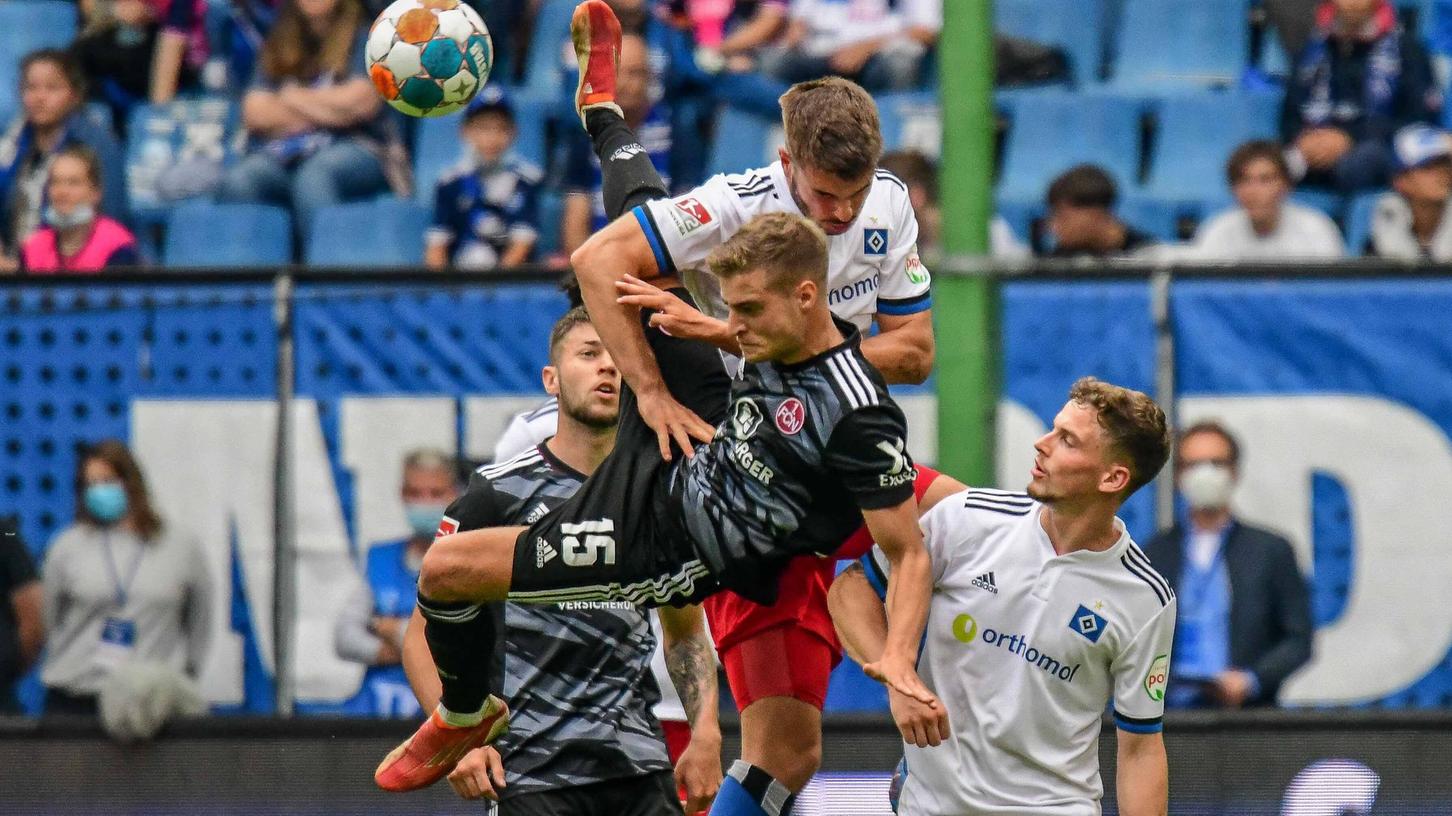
{"points": [[52, 95]]}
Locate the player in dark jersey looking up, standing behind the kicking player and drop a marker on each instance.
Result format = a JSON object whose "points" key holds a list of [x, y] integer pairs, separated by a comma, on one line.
{"points": [[583, 738]]}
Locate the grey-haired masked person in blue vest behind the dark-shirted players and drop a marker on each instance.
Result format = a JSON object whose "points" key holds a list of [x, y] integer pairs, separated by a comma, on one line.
{"points": [[371, 629]]}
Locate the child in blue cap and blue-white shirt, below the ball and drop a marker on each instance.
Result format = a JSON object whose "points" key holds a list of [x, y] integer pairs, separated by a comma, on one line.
{"points": [[486, 210]]}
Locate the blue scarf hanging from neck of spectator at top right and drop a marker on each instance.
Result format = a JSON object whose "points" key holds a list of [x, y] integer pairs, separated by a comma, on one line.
{"points": [[1383, 69]]}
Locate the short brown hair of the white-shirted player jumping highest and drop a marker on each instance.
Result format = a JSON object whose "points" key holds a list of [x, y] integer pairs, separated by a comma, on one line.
{"points": [[833, 127]]}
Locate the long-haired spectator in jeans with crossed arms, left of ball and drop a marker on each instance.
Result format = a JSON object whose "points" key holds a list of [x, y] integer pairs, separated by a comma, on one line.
{"points": [[317, 133]]}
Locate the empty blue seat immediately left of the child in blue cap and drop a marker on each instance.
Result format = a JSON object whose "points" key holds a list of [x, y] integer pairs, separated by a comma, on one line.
{"points": [[386, 232]]}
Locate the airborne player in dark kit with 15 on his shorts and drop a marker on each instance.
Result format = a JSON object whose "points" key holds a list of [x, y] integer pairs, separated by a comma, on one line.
{"points": [[814, 446]]}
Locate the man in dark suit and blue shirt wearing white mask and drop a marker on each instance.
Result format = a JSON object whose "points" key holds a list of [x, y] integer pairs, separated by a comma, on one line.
{"points": [[1245, 613]]}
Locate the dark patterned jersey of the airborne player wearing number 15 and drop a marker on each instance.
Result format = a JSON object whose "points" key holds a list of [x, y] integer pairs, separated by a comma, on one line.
{"points": [[805, 449]]}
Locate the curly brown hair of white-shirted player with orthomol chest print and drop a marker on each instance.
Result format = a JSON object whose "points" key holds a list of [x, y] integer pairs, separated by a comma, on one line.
{"points": [[1135, 425]]}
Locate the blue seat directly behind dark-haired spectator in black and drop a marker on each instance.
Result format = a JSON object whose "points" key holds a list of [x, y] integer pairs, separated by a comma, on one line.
{"points": [[1053, 131]]}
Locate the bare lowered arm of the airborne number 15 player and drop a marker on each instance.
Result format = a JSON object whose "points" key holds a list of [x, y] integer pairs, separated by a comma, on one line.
{"points": [[910, 587]]}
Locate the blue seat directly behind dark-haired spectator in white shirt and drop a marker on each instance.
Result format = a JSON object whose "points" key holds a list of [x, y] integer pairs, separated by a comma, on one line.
{"points": [[1196, 137]]}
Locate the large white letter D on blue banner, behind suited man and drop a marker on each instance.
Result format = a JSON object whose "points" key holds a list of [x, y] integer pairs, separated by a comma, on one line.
{"points": [[1398, 470]]}
